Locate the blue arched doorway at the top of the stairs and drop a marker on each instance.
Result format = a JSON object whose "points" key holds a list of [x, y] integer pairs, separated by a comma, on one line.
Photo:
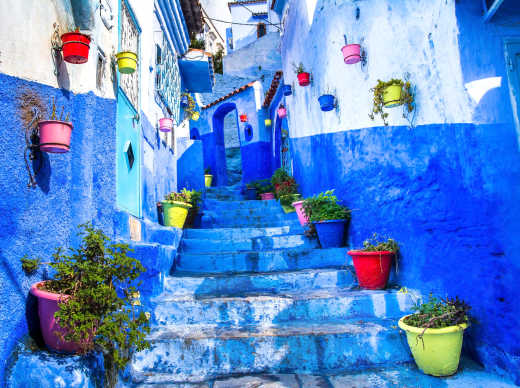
{"points": [[228, 158]]}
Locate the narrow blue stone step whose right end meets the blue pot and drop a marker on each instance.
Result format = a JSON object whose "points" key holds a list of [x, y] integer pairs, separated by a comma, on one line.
{"points": [[240, 233]]}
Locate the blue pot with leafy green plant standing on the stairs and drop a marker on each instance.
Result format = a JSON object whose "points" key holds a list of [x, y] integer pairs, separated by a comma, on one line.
{"points": [[328, 217]]}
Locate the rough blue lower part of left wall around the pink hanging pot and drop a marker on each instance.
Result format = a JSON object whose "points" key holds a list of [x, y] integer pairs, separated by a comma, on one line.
{"points": [[72, 188]]}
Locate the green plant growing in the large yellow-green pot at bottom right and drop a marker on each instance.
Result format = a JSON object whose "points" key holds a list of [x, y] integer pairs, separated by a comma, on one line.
{"points": [[437, 313]]}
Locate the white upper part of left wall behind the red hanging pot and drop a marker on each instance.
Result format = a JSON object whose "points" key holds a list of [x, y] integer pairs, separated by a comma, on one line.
{"points": [[26, 52]]}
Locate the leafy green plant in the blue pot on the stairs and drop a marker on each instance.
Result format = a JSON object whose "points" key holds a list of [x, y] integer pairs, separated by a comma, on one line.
{"points": [[325, 206]]}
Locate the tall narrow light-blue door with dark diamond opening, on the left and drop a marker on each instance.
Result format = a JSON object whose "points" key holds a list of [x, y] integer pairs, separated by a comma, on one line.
{"points": [[128, 126]]}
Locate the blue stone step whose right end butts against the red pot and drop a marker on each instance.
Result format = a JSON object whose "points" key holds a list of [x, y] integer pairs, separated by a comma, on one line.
{"points": [[273, 283]]}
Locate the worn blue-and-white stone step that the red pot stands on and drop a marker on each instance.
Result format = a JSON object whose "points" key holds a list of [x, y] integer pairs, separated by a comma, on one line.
{"points": [[325, 306]]}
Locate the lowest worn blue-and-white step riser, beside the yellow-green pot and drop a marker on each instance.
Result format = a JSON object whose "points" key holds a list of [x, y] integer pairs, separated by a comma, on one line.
{"points": [[179, 360]]}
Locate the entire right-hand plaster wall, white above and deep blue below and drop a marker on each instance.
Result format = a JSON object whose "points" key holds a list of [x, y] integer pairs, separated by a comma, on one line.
{"points": [[445, 190]]}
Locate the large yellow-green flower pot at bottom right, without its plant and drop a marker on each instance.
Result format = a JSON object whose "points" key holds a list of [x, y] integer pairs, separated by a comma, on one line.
{"points": [[438, 352]]}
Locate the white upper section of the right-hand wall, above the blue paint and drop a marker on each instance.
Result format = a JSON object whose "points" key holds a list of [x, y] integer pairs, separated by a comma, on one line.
{"points": [[414, 36]]}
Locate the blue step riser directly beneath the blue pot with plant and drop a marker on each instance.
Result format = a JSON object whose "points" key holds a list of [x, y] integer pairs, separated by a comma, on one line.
{"points": [[263, 261]]}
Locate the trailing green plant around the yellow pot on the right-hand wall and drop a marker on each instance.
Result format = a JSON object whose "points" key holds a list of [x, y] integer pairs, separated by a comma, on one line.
{"points": [[407, 98]]}
